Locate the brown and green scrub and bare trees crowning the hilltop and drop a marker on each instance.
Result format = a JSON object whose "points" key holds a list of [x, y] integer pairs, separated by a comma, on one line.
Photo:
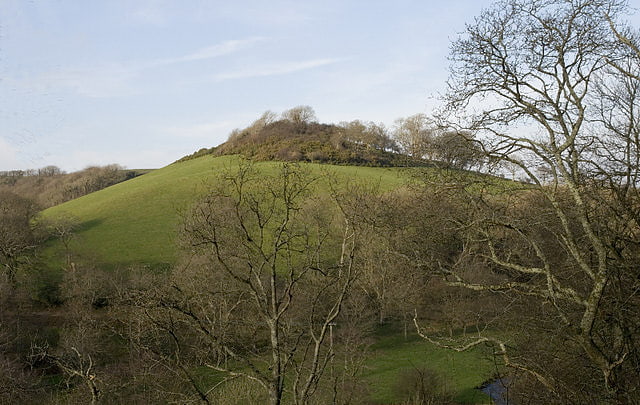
{"points": [[296, 136]]}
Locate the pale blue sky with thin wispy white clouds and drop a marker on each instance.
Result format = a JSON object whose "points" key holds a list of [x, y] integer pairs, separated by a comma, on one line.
{"points": [[142, 83]]}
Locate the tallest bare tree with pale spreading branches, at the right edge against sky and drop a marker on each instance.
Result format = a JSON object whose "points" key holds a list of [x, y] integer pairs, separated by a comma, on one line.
{"points": [[551, 85]]}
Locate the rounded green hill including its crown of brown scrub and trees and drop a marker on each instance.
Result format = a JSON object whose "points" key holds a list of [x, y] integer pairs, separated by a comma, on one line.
{"points": [[136, 221]]}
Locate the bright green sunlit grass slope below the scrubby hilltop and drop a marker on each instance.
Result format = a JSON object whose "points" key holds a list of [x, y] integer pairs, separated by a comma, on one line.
{"points": [[136, 222]]}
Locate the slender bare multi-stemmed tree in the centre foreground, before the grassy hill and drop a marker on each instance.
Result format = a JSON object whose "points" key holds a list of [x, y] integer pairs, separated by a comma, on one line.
{"points": [[276, 267]]}
